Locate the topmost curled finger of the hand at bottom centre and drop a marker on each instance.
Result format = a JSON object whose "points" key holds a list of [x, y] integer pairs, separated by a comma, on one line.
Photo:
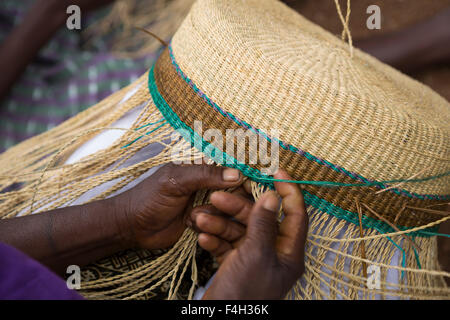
{"points": [[233, 205]]}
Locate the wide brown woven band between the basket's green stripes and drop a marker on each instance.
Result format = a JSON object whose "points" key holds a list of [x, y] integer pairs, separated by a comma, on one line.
{"points": [[190, 107]]}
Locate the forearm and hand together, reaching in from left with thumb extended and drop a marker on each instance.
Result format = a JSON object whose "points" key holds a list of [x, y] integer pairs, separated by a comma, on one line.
{"points": [[150, 215]]}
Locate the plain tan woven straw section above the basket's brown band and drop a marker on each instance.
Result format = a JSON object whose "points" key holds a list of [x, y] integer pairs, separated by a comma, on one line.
{"points": [[270, 67]]}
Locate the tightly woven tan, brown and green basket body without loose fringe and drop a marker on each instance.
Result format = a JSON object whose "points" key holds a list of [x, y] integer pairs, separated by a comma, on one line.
{"points": [[261, 58]]}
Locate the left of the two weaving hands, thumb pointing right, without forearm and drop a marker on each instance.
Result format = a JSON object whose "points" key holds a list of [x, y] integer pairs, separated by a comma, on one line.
{"points": [[151, 215]]}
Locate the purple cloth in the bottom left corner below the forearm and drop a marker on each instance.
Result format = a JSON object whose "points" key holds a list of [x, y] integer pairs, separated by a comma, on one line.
{"points": [[22, 278]]}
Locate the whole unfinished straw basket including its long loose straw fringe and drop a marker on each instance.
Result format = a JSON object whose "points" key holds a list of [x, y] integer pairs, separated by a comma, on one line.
{"points": [[370, 144]]}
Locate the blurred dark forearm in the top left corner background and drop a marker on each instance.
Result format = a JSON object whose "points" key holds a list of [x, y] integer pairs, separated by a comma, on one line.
{"points": [[25, 41]]}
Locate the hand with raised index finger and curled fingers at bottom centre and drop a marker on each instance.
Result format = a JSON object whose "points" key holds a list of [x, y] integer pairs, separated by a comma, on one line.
{"points": [[264, 260]]}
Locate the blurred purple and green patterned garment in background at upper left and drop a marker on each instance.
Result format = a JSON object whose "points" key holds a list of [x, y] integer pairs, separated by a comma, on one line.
{"points": [[63, 79]]}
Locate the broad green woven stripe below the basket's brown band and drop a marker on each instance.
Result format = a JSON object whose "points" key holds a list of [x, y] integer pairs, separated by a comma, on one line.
{"points": [[221, 157]]}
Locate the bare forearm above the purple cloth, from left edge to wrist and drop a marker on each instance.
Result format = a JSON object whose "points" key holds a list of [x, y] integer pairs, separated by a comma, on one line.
{"points": [[74, 235]]}
